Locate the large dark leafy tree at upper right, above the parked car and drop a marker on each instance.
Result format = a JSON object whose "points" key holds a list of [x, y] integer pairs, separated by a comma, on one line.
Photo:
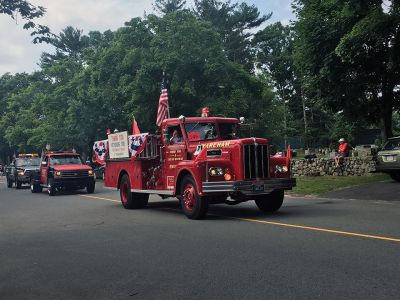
{"points": [[347, 53]]}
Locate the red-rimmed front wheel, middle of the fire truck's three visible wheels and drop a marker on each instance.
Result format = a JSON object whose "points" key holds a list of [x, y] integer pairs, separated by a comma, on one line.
{"points": [[194, 206]]}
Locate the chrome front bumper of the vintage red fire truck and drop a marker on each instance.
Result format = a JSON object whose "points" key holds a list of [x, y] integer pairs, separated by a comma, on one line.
{"points": [[249, 187]]}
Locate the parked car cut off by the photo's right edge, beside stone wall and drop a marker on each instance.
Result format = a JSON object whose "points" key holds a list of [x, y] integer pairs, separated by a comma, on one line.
{"points": [[388, 160]]}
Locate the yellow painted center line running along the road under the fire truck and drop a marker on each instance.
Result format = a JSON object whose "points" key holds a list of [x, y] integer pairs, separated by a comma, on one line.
{"points": [[377, 237]]}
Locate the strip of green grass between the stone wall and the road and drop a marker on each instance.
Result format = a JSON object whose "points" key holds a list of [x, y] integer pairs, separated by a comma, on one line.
{"points": [[323, 184]]}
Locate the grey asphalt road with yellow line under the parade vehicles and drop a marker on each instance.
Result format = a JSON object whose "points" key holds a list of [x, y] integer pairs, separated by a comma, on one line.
{"points": [[80, 246]]}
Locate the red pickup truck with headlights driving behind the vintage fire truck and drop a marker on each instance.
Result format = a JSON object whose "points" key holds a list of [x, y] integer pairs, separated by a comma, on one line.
{"points": [[62, 171]]}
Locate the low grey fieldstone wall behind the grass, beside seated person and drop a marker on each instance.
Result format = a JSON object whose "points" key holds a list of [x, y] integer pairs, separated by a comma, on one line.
{"points": [[325, 166]]}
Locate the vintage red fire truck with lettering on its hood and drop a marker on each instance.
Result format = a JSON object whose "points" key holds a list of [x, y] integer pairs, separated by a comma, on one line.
{"points": [[201, 161]]}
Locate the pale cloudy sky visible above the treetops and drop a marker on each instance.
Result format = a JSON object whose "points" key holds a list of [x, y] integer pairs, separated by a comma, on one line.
{"points": [[18, 53]]}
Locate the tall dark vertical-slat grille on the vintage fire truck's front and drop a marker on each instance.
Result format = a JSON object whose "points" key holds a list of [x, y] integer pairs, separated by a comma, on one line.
{"points": [[255, 161]]}
